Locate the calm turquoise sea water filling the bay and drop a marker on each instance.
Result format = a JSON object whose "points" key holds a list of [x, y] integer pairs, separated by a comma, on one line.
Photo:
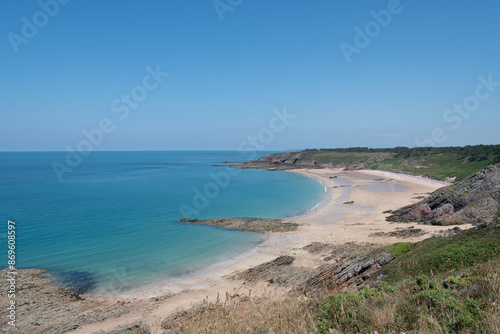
{"points": [[113, 221]]}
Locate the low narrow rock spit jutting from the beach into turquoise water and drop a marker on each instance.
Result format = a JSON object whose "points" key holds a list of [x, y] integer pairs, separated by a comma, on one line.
{"points": [[254, 225]]}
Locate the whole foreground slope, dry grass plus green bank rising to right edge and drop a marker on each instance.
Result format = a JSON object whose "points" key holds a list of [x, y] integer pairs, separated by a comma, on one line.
{"points": [[438, 285]]}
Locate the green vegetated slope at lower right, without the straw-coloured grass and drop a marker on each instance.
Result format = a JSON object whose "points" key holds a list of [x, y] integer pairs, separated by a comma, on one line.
{"points": [[438, 285]]}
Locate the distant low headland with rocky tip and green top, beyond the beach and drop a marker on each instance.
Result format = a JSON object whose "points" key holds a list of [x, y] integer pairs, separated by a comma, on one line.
{"points": [[440, 163]]}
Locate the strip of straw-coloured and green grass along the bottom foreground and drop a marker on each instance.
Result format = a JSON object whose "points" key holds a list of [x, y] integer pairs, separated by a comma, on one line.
{"points": [[463, 302]]}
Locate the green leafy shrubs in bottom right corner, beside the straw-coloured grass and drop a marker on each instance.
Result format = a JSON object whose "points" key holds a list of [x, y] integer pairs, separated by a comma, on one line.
{"points": [[462, 303]]}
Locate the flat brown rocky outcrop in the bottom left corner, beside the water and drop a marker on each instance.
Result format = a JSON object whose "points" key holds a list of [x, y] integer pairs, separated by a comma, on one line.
{"points": [[44, 308]]}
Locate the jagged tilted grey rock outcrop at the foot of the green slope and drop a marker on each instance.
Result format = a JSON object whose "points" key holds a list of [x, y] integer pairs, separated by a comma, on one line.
{"points": [[352, 274]]}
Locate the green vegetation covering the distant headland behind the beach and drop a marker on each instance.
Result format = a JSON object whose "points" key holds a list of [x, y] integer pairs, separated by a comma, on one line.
{"points": [[434, 162]]}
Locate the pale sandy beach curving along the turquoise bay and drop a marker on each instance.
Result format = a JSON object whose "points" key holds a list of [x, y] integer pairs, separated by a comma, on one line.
{"points": [[352, 211]]}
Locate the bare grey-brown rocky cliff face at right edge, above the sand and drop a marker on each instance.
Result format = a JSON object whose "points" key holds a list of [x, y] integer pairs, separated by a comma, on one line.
{"points": [[472, 201]]}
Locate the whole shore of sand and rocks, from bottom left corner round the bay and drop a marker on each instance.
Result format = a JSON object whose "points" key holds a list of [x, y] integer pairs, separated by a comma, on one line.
{"points": [[327, 248]]}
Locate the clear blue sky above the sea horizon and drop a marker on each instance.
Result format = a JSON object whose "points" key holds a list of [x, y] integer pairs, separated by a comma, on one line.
{"points": [[352, 73]]}
